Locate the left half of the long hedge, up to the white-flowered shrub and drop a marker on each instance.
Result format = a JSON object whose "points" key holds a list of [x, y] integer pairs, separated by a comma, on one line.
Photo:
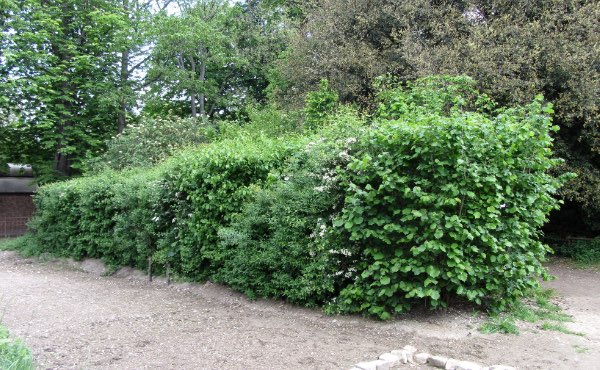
{"points": [[171, 212]]}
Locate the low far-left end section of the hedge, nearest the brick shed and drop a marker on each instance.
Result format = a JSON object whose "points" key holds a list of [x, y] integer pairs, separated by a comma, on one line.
{"points": [[108, 216]]}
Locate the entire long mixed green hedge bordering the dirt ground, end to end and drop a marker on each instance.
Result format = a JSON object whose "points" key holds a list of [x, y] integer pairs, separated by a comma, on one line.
{"points": [[440, 197]]}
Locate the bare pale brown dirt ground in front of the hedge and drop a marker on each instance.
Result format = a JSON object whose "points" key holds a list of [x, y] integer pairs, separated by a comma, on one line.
{"points": [[74, 318]]}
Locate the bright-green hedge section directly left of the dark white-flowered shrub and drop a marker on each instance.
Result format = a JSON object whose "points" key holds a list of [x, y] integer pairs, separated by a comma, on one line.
{"points": [[202, 193]]}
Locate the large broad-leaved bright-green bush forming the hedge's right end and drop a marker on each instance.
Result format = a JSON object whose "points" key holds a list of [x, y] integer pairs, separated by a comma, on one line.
{"points": [[445, 203]]}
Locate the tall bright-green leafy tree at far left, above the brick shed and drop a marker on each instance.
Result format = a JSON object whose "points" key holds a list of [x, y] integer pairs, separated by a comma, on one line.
{"points": [[57, 67]]}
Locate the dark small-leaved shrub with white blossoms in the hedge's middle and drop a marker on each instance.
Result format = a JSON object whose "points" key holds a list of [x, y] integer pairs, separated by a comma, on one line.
{"points": [[276, 245]]}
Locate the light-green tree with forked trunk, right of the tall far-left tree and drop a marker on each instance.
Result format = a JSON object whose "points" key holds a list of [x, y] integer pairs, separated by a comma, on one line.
{"points": [[192, 53]]}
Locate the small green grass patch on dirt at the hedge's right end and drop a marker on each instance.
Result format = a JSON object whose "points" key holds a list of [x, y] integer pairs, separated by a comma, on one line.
{"points": [[531, 310]]}
